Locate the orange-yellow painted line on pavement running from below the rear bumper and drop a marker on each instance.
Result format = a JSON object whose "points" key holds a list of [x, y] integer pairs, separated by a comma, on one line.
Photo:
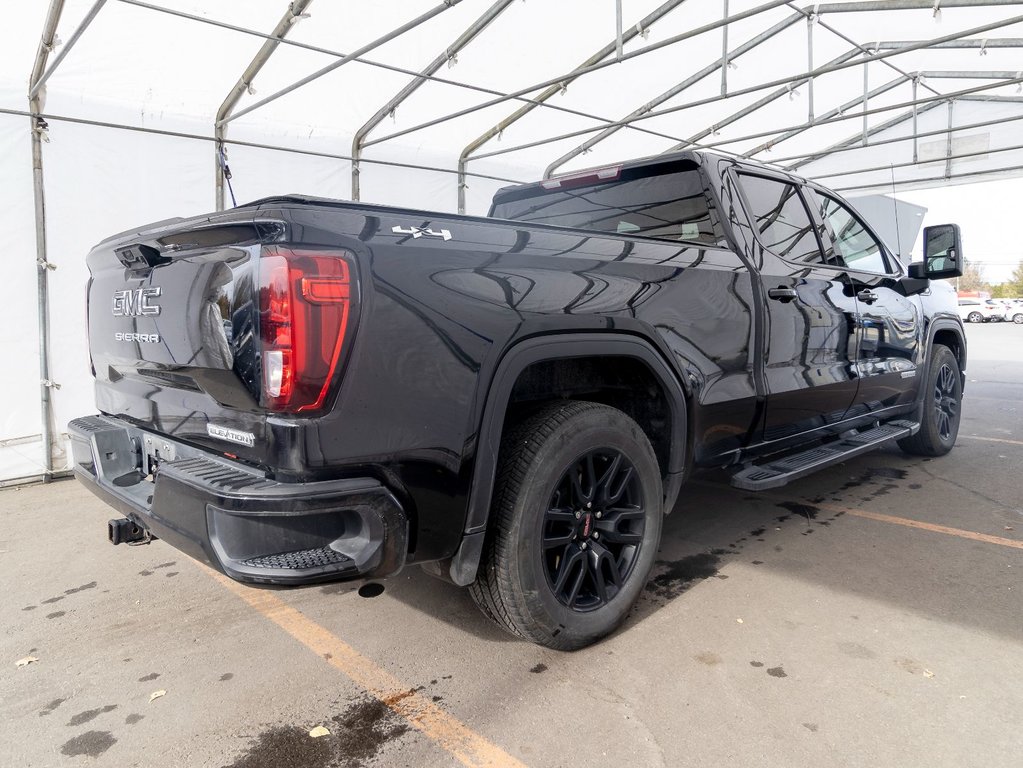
{"points": [[452, 735]]}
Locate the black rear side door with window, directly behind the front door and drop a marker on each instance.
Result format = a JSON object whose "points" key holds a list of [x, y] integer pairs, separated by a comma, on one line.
{"points": [[811, 345]]}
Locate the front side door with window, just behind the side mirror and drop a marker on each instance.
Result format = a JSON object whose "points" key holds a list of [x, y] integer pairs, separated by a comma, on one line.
{"points": [[889, 324]]}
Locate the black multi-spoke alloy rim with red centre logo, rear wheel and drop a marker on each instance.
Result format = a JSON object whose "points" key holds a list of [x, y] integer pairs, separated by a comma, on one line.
{"points": [[593, 530]]}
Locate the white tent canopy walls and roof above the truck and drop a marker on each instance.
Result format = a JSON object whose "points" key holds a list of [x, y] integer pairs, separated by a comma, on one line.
{"points": [[444, 102]]}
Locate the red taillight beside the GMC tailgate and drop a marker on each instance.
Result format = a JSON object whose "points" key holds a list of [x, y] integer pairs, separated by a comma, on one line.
{"points": [[305, 300]]}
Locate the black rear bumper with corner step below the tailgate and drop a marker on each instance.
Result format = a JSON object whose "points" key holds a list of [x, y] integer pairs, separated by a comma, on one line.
{"points": [[234, 518]]}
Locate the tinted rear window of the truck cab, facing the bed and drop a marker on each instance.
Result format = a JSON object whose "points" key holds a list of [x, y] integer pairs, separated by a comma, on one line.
{"points": [[666, 201]]}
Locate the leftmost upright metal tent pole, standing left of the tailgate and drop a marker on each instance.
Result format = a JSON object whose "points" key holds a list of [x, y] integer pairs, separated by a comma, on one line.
{"points": [[43, 266]]}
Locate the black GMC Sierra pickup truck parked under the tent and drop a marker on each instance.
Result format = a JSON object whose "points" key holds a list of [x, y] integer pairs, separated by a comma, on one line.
{"points": [[303, 390]]}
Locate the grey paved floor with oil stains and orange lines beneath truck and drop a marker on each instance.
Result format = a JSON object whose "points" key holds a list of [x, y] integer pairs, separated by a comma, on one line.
{"points": [[820, 625]]}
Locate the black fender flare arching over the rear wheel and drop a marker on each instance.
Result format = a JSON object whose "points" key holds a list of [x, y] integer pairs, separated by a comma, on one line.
{"points": [[466, 561]]}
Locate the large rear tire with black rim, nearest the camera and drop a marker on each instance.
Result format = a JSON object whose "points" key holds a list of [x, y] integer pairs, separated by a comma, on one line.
{"points": [[575, 525]]}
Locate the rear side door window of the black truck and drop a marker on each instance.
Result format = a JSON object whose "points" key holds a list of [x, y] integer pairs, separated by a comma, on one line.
{"points": [[781, 218]]}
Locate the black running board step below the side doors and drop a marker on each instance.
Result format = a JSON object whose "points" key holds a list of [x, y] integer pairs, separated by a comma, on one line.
{"points": [[780, 472]]}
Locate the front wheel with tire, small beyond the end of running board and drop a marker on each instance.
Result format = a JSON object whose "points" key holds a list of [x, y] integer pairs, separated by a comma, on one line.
{"points": [[942, 408]]}
